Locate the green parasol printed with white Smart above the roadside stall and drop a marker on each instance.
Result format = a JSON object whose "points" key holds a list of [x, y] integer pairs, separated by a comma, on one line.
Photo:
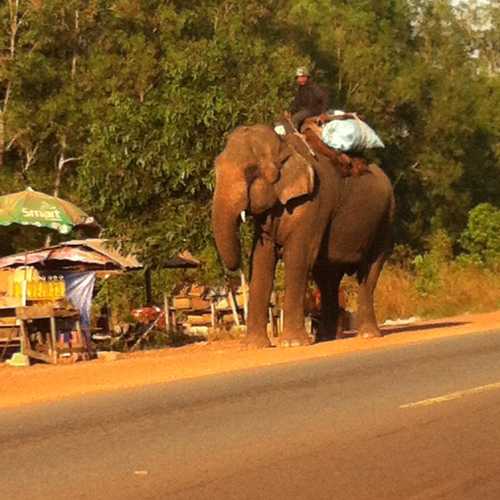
{"points": [[33, 208]]}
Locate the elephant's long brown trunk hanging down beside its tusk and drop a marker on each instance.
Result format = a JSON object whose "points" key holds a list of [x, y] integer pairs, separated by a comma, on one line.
{"points": [[230, 199]]}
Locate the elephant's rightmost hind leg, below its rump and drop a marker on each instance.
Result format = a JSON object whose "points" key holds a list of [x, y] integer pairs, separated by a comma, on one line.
{"points": [[367, 321]]}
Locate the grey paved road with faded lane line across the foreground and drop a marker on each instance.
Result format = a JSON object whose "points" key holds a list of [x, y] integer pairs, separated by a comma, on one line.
{"points": [[419, 421]]}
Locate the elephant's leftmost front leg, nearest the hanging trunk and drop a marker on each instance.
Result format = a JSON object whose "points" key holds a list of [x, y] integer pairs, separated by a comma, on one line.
{"points": [[261, 283]]}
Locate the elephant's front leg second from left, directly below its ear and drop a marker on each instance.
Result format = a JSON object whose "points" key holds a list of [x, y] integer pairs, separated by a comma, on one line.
{"points": [[296, 275]]}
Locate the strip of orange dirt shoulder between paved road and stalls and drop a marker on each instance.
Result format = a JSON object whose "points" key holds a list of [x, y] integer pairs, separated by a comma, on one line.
{"points": [[44, 383]]}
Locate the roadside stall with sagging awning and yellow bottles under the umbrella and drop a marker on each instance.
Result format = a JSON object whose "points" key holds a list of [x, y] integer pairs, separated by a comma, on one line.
{"points": [[51, 289]]}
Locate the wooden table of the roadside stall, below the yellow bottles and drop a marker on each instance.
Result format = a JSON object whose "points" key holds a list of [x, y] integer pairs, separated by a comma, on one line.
{"points": [[36, 312]]}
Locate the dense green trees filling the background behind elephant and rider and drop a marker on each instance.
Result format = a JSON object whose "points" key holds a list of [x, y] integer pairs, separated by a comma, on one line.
{"points": [[122, 105]]}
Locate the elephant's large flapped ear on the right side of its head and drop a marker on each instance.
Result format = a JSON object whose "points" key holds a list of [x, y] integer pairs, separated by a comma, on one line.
{"points": [[296, 179]]}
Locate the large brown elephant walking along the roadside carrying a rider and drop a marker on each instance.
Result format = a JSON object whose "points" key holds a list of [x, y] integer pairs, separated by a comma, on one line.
{"points": [[310, 216]]}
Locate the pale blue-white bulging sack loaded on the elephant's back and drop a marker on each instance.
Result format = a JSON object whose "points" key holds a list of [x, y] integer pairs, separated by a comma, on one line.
{"points": [[350, 135]]}
